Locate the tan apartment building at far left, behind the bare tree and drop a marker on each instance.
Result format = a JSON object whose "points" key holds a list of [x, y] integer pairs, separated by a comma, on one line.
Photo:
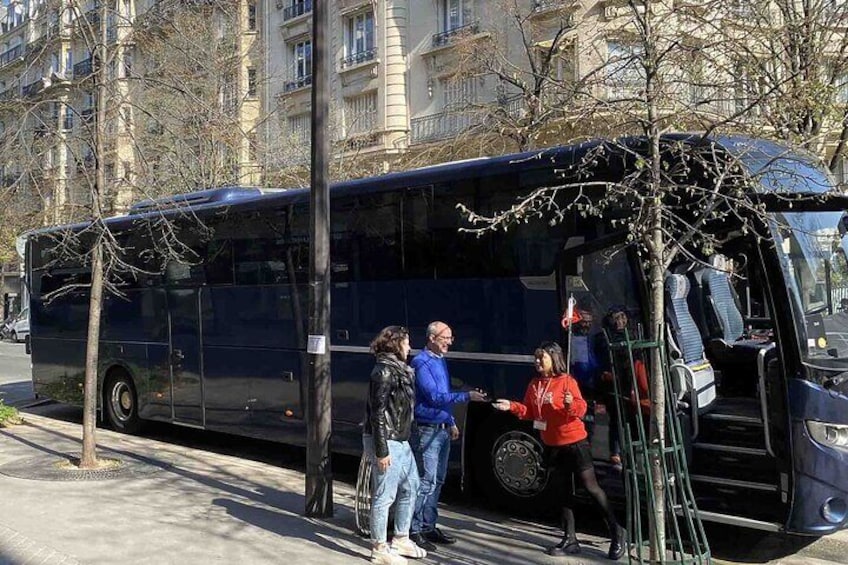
{"points": [[49, 95]]}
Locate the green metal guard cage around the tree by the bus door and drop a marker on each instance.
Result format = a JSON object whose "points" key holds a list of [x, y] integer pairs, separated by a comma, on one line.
{"points": [[686, 542]]}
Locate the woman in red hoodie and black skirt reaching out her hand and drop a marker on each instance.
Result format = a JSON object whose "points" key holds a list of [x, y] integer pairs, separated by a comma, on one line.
{"points": [[554, 403]]}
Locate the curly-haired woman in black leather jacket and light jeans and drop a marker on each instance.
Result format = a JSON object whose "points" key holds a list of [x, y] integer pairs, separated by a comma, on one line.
{"points": [[388, 421]]}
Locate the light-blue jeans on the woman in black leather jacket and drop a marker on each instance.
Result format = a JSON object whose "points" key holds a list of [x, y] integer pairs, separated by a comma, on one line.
{"points": [[399, 481]]}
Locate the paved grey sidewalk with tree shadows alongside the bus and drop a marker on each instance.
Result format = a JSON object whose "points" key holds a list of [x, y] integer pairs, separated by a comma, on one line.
{"points": [[192, 506]]}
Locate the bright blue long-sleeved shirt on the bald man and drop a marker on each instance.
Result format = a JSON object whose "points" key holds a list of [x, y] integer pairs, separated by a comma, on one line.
{"points": [[433, 397]]}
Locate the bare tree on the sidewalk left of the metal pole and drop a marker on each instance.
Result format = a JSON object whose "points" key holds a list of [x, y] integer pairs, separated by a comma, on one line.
{"points": [[150, 111]]}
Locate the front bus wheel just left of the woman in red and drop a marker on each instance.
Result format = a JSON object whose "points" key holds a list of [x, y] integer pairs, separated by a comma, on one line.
{"points": [[509, 466]]}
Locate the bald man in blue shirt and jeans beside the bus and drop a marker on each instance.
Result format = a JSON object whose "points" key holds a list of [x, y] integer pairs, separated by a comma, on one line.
{"points": [[435, 428]]}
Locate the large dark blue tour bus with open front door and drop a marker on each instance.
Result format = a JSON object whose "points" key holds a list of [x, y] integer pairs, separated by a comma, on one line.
{"points": [[215, 338]]}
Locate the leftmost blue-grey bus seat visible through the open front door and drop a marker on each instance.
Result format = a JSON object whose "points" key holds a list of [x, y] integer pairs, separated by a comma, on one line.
{"points": [[692, 374]]}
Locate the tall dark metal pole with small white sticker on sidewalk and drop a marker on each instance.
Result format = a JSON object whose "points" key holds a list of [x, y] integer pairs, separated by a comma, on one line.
{"points": [[319, 478]]}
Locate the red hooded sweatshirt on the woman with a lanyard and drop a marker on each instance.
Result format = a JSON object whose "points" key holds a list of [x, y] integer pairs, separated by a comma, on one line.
{"points": [[544, 401]]}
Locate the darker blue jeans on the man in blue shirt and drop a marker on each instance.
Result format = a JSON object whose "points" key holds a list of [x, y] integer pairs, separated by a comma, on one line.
{"points": [[432, 449]]}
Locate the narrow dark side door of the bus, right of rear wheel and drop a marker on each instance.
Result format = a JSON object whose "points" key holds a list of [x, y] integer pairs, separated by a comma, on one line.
{"points": [[186, 367]]}
